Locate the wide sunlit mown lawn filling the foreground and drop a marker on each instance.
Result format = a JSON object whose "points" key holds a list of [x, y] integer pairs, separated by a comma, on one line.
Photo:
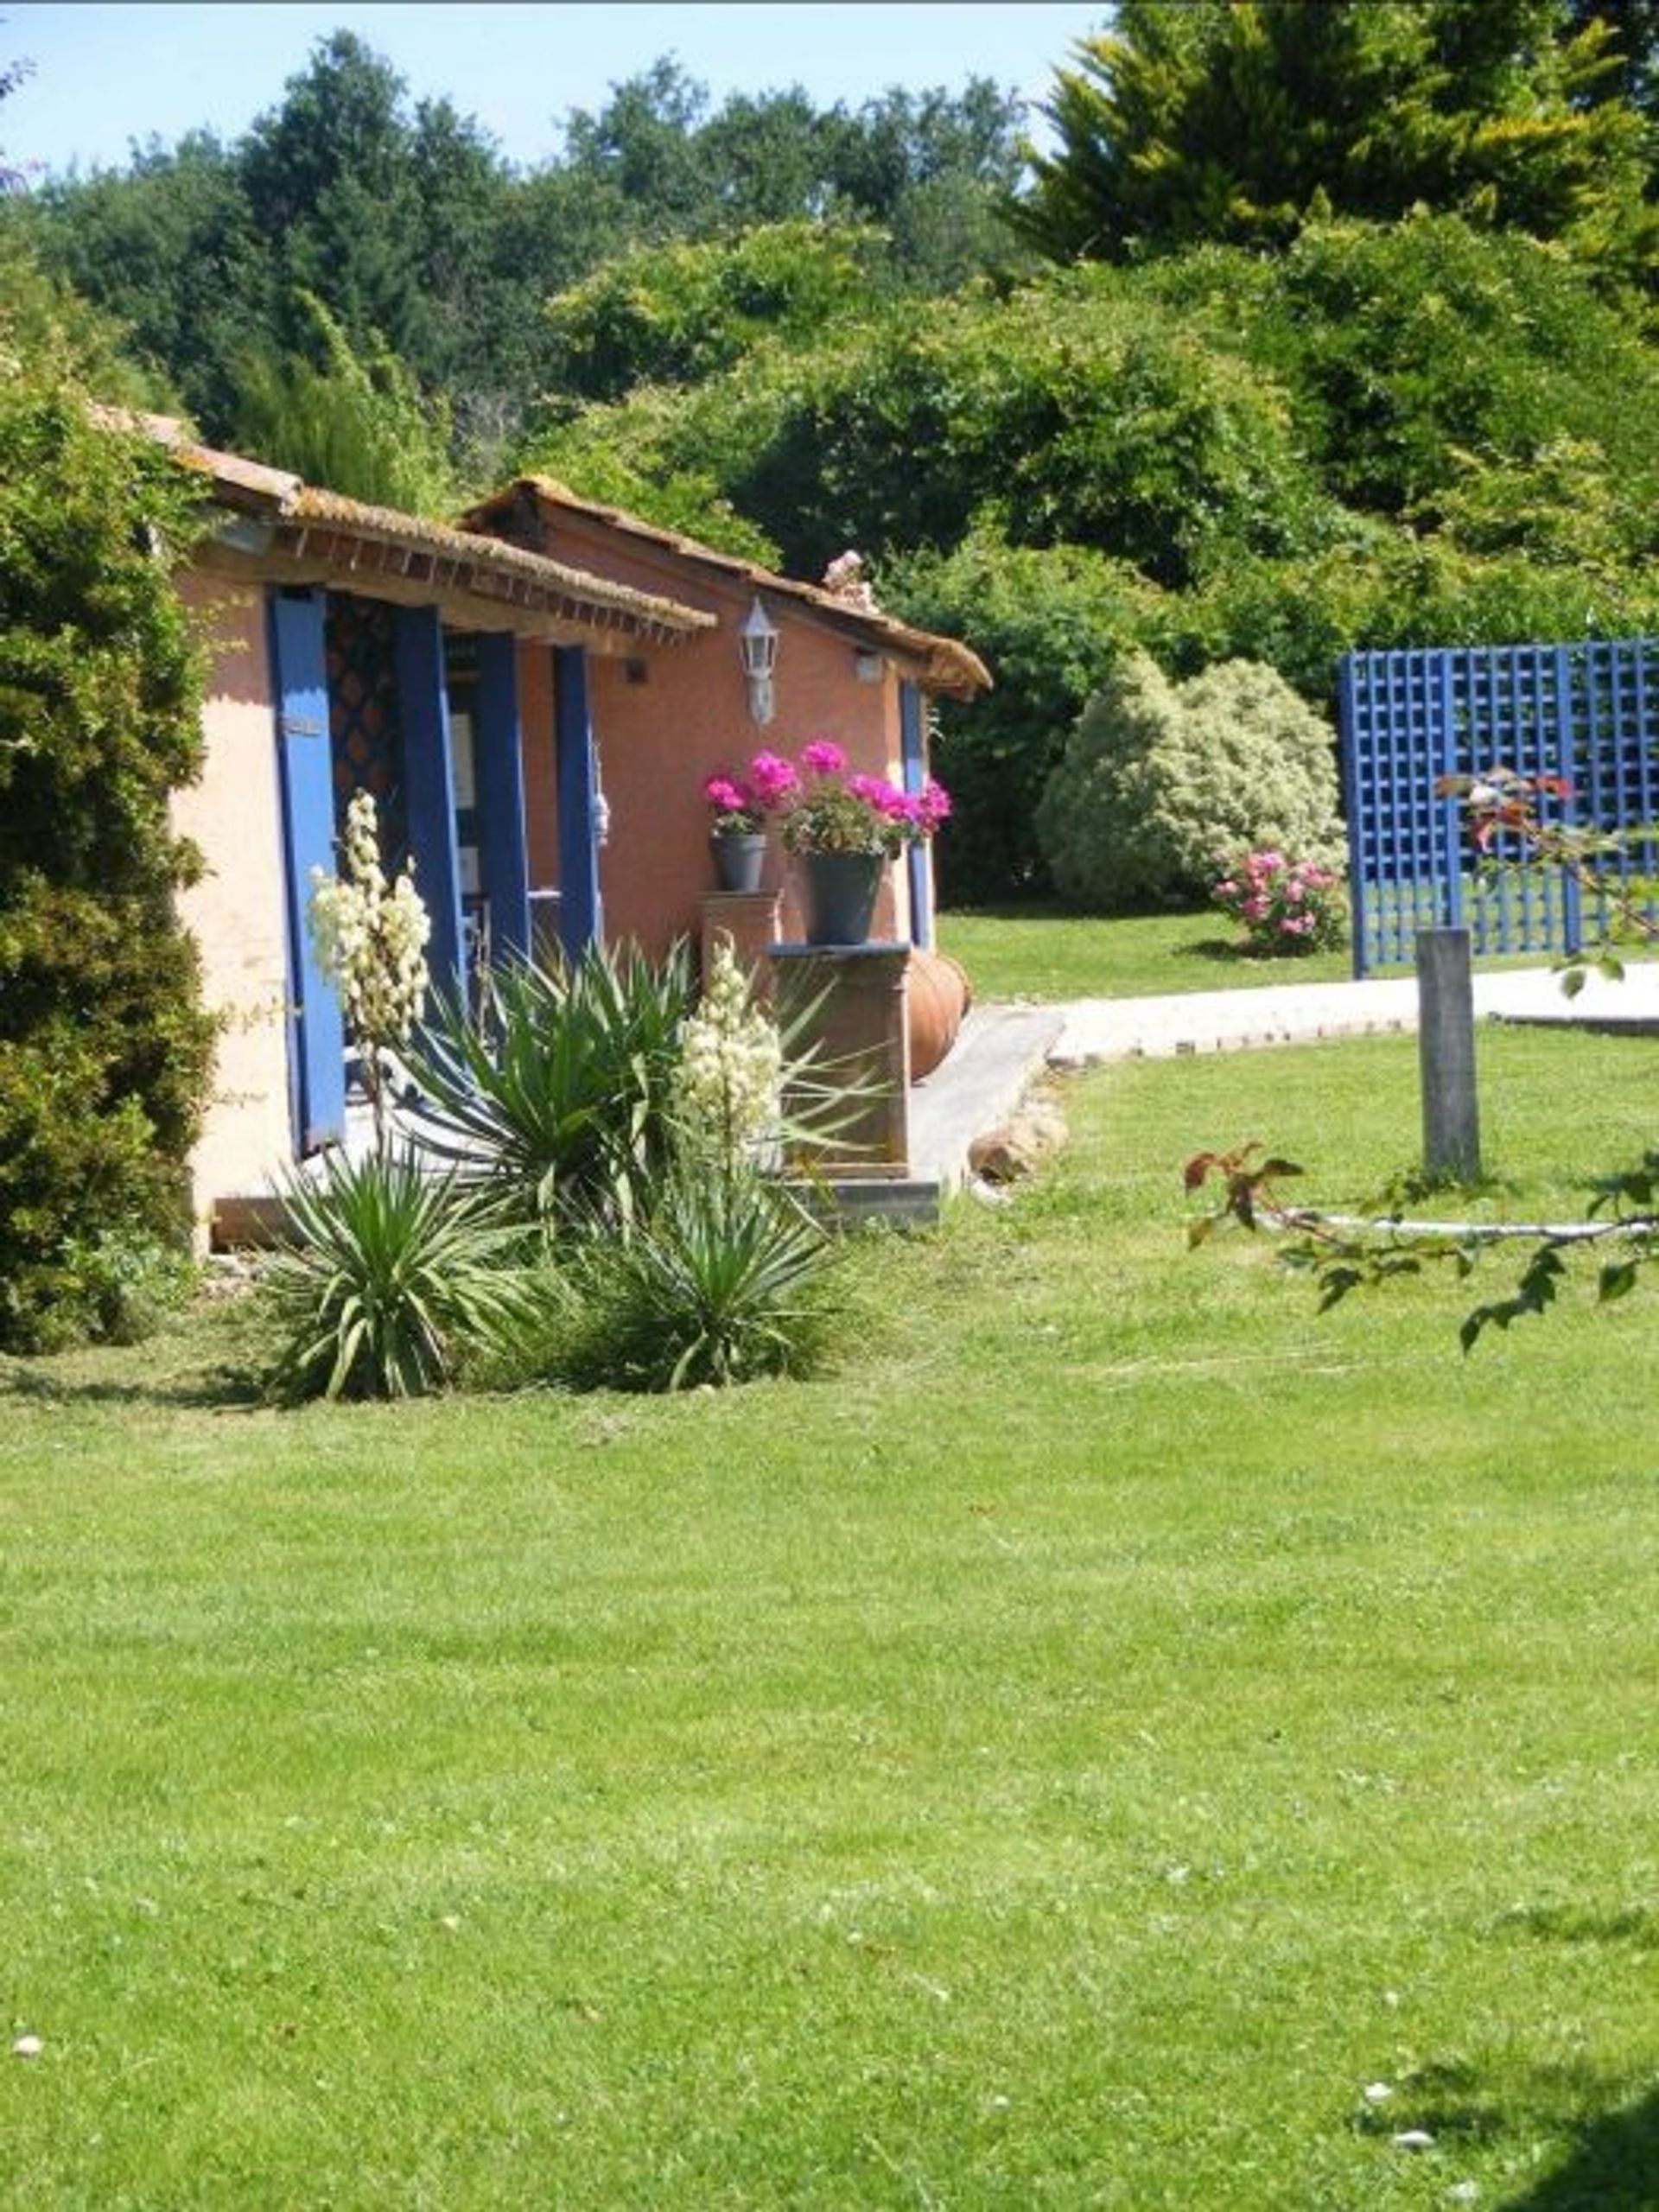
{"points": [[1061, 1760]]}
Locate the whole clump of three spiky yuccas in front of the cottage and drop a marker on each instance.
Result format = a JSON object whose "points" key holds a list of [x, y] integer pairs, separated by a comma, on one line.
{"points": [[578, 1129]]}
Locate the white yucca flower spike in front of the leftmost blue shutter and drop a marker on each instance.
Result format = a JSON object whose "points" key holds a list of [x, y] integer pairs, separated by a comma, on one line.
{"points": [[371, 937]]}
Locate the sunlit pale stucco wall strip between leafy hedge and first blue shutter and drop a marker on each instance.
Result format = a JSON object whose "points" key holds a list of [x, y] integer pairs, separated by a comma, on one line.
{"points": [[238, 908]]}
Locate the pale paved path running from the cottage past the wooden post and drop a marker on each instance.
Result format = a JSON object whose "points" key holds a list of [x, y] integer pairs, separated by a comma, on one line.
{"points": [[1008, 1047]]}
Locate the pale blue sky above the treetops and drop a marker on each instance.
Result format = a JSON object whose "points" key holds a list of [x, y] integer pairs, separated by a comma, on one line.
{"points": [[107, 76]]}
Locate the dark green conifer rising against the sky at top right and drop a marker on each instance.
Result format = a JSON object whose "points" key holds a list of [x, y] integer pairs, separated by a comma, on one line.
{"points": [[1240, 123]]}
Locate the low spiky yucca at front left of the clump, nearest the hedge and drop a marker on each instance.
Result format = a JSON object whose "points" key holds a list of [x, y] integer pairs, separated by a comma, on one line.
{"points": [[388, 1275]]}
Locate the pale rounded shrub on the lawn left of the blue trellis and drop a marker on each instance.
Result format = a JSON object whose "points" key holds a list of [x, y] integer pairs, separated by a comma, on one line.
{"points": [[1160, 778]]}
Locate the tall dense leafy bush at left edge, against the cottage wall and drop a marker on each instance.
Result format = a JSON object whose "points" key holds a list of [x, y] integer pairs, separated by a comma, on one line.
{"points": [[103, 1043]]}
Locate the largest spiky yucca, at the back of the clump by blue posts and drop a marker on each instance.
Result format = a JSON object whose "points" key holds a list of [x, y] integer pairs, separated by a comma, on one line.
{"points": [[556, 1085]]}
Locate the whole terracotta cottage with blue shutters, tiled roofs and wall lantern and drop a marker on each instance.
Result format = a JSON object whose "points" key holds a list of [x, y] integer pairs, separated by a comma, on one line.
{"points": [[534, 700]]}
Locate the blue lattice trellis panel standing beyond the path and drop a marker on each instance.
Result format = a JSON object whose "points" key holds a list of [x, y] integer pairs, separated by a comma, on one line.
{"points": [[1587, 713]]}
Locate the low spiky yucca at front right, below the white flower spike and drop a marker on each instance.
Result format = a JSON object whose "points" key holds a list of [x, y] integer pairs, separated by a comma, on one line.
{"points": [[722, 1282]]}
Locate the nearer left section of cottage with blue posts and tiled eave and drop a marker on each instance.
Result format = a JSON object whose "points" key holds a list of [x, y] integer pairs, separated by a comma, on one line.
{"points": [[362, 649]]}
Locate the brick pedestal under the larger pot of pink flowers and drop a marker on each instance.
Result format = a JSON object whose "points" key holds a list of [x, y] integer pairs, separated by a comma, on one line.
{"points": [[859, 1025]]}
